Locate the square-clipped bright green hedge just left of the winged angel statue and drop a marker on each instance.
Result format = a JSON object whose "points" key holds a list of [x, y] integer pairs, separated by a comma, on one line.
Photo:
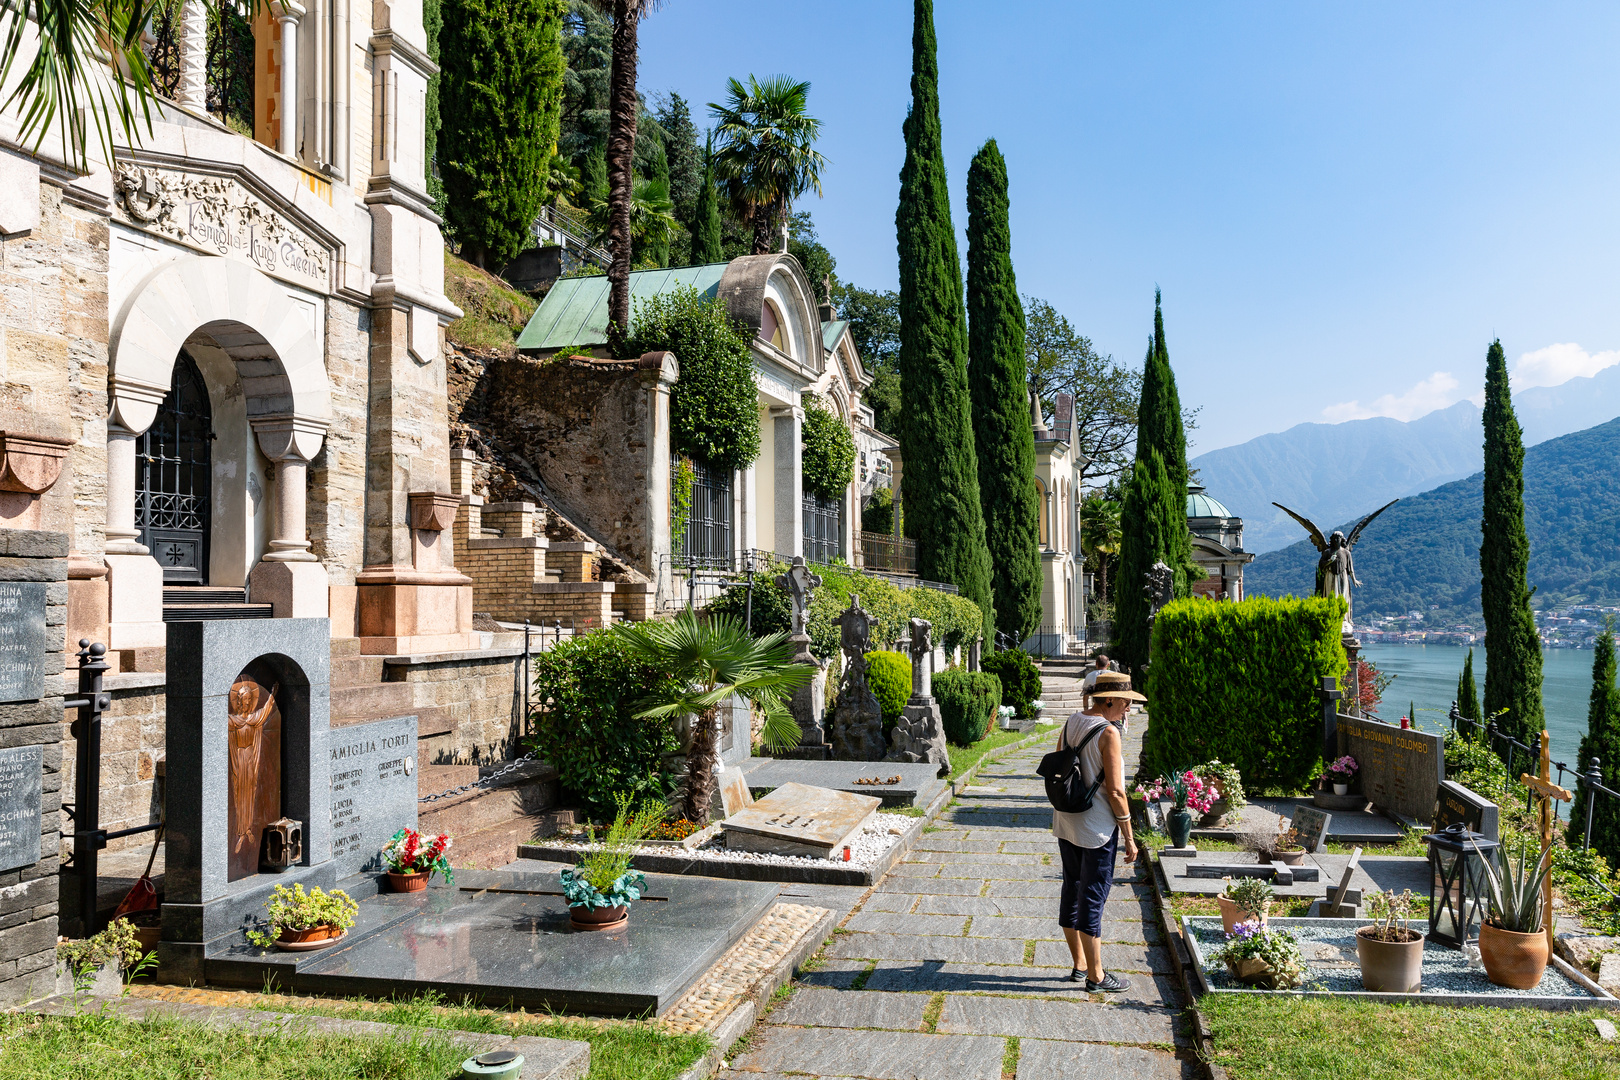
{"points": [[1238, 682]]}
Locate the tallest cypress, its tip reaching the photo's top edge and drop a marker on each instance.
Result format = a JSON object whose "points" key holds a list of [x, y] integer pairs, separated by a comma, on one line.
{"points": [[940, 480]]}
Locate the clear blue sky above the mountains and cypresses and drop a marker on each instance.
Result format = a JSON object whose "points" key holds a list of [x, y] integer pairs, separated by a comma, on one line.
{"points": [[1342, 205]]}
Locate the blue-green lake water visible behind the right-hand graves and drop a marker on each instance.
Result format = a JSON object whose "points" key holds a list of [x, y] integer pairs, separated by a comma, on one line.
{"points": [[1426, 674]]}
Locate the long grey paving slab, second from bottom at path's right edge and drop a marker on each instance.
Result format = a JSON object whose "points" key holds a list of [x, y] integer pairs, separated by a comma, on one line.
{"points": [[1070, 1021]]}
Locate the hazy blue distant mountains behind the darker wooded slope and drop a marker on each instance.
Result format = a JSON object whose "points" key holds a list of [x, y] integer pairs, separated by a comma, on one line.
{"points": [[1334, 472]]}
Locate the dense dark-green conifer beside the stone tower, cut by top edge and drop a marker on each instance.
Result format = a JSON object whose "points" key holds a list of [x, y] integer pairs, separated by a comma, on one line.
{"points": [[501, 93]]}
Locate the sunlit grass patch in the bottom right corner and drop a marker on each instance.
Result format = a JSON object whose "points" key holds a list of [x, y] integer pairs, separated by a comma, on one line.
{"points": [[1292, 1039]]}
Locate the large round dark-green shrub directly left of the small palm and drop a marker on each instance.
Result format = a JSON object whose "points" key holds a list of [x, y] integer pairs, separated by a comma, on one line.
{"points": [[587, 692]]}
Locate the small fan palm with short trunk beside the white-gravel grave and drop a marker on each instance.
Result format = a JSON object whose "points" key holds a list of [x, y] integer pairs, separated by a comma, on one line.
{"points": [[710, 661]]}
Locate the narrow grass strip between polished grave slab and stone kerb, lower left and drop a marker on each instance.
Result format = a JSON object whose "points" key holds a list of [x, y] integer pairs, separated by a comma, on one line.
{"points": [[621, 1050]]}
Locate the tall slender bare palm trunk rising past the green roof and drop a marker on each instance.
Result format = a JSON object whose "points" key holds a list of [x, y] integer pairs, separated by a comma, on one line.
{"points": [[623, 111]]}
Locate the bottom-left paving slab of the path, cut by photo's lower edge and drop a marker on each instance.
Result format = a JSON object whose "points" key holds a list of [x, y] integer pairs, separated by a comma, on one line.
{"points": [[876, 1055]]}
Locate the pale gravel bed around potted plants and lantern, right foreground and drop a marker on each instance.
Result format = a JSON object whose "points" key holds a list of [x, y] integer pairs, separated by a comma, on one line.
{"points": [[1331, 963]]}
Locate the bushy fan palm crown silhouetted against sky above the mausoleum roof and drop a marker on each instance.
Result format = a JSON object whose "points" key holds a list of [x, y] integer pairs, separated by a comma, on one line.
{"points": [[767, 151]]}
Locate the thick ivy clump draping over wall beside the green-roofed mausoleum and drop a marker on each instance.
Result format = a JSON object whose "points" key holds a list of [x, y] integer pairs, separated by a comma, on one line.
{"points": [[715, 407]]}
